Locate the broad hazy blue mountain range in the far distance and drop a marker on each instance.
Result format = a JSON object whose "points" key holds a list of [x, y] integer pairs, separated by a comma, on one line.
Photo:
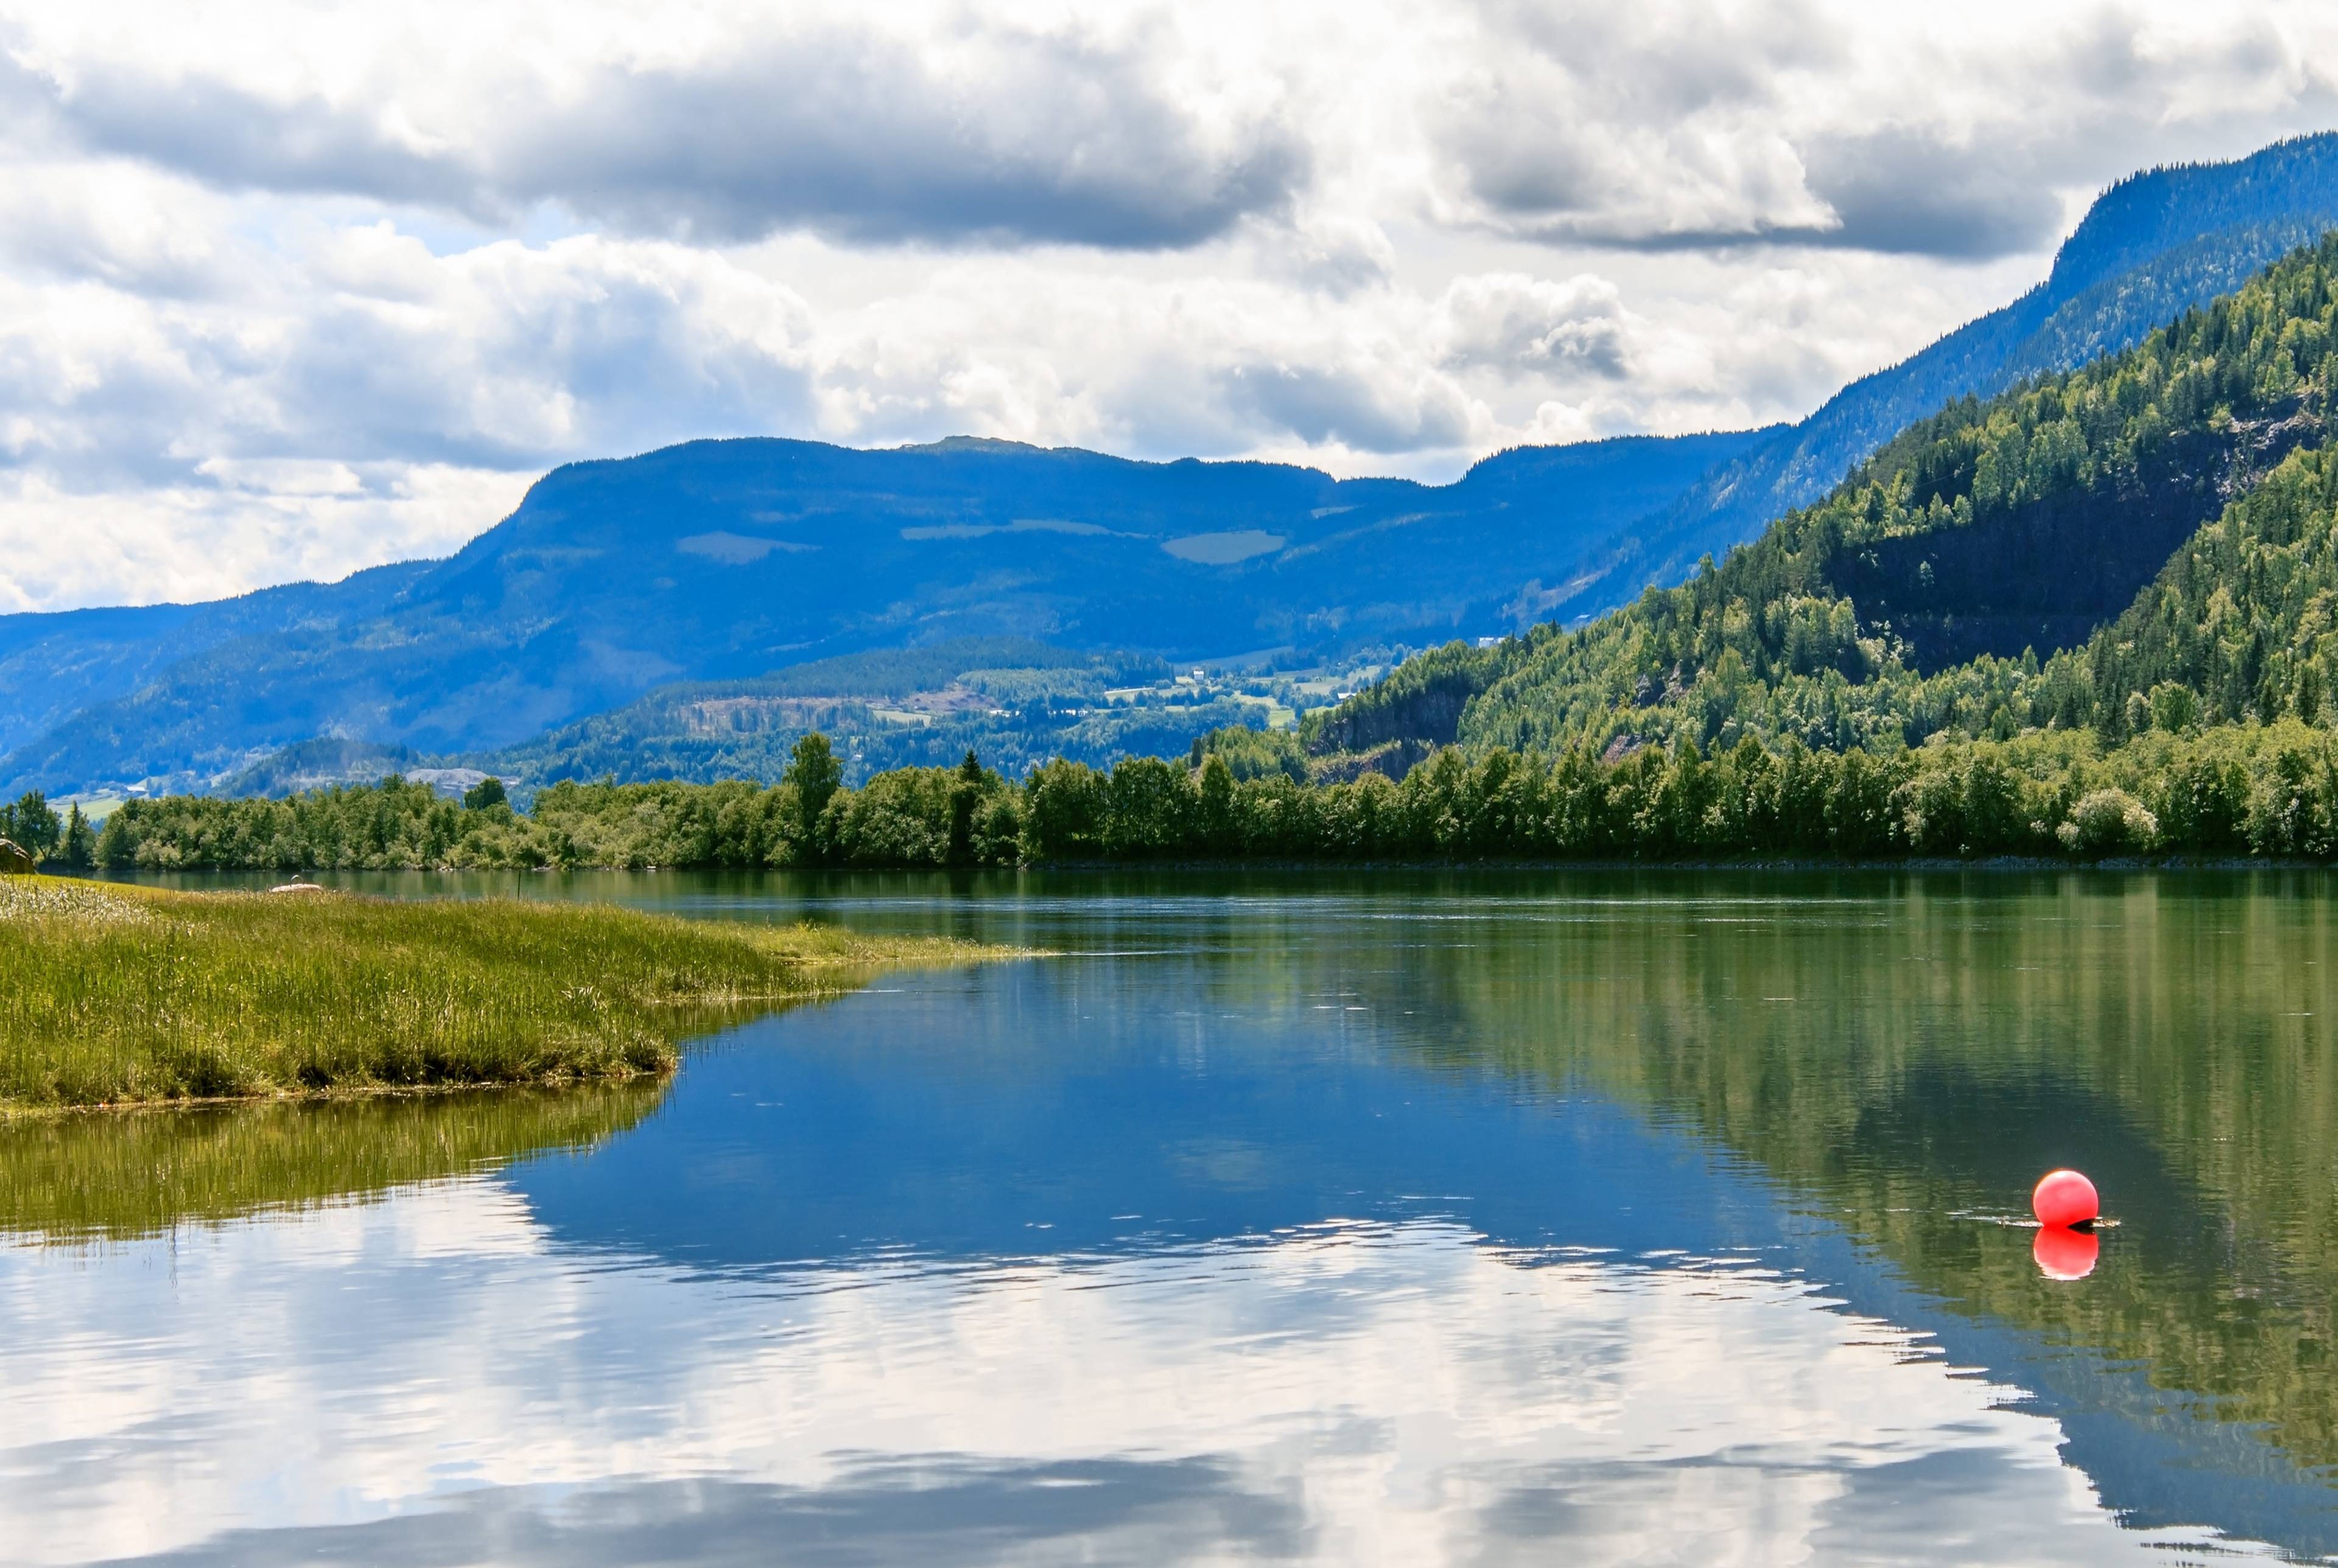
{"points": [[731, 560]]}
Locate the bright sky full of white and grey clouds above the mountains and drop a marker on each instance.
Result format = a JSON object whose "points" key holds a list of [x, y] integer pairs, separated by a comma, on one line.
{"points": [[296, 289]]}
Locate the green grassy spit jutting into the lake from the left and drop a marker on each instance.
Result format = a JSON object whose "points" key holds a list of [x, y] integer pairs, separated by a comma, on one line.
{"points": [[116, 997]]}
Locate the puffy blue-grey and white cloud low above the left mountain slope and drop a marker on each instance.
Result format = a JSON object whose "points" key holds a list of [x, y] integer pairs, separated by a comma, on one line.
{"points": [[364, 347]]}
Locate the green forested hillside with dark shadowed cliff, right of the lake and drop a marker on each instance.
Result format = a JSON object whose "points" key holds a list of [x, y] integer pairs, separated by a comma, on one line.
{"points": [[2138, 541]]}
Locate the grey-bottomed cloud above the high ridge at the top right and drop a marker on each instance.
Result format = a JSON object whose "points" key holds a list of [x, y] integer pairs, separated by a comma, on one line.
{"points": [[1783, 123]]}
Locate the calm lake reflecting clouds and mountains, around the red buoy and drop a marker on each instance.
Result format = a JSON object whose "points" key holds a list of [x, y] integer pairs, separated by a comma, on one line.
{"points": [[1402, 1219]]}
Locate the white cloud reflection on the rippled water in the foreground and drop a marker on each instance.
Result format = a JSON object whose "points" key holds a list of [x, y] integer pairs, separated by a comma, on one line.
{"points": [[429, 1382]]}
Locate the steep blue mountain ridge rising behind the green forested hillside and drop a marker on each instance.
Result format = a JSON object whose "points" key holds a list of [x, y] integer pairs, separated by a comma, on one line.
{"points": [[2150, 249]]}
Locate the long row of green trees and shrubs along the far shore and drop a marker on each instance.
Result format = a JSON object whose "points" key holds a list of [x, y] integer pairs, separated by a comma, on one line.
{"points": [[2234, 791]]}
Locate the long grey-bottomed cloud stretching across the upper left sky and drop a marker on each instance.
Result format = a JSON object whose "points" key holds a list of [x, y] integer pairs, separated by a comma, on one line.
{"points": [[1004, 139]]}
